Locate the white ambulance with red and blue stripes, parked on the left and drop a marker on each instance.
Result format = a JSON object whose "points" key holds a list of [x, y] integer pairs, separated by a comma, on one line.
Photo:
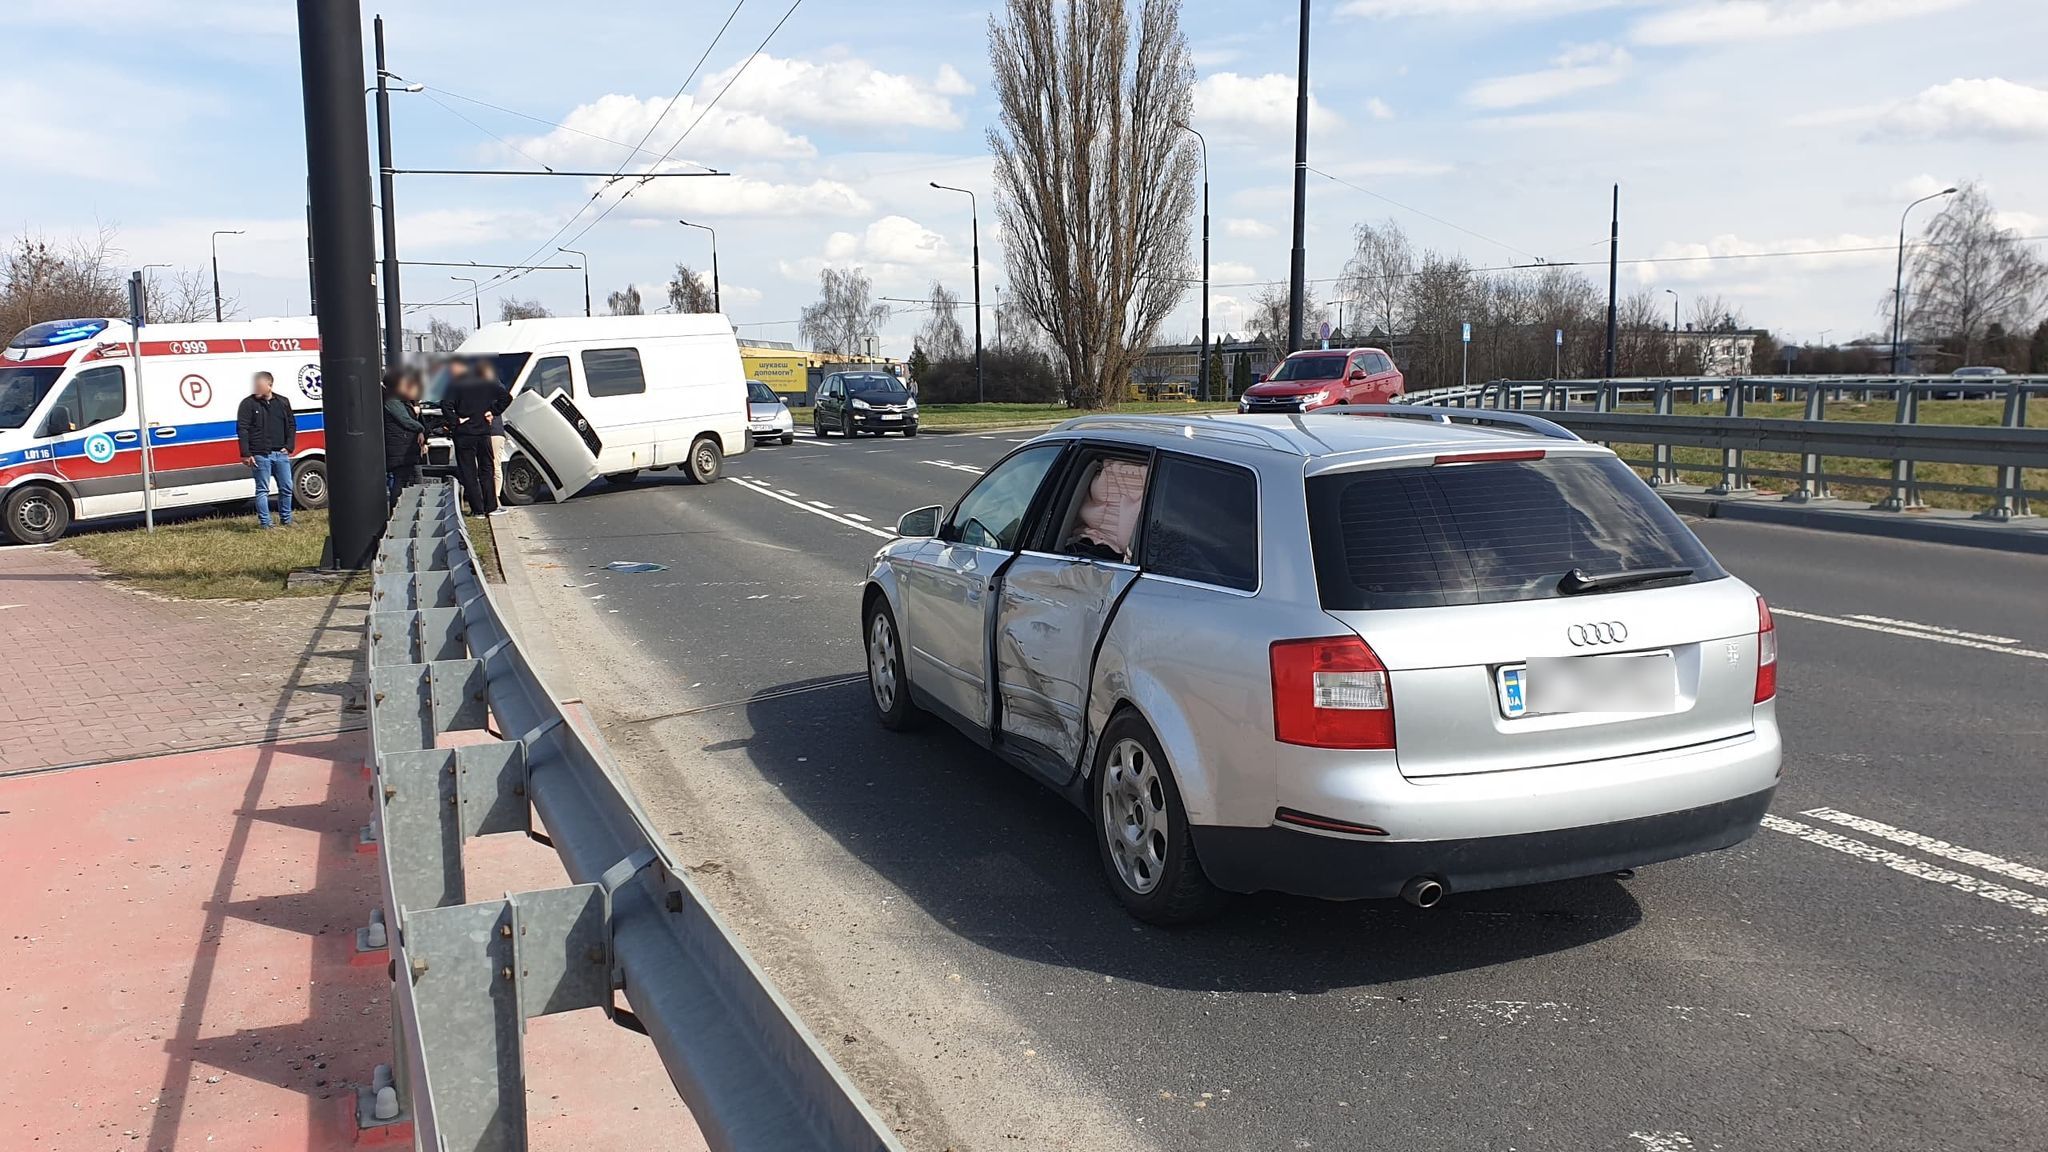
{"points": [[71, 417]]}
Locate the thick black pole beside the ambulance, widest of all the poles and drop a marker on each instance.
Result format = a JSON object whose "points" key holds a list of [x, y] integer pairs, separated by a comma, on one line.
{"points": [[337, 142]]}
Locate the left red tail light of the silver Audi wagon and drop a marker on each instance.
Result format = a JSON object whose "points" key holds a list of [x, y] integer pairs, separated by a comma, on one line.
{"points": [[1332, 694]]}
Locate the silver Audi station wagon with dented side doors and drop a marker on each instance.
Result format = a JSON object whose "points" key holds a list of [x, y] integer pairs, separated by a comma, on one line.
{"points": [[1363, 653]]}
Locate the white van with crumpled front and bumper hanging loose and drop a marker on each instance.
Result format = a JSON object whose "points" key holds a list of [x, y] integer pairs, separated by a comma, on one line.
{"points": [[615, 395]]}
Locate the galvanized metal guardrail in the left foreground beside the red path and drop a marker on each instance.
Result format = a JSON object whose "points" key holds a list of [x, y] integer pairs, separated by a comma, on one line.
{"points": [[470, 975]]}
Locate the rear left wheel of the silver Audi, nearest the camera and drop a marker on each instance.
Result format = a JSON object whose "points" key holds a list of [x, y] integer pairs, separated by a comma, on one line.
{"points": [[1142, 829]]}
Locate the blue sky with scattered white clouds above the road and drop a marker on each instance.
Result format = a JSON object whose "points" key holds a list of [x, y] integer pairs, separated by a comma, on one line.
{"points": [[1490, 128]]}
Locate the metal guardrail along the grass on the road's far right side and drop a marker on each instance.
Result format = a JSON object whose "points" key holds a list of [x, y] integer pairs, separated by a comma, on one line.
{"points": [[1644, 413]]}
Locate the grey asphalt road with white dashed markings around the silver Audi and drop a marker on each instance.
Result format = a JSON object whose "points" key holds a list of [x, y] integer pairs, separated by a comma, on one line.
{"points": [[1865, 975]]}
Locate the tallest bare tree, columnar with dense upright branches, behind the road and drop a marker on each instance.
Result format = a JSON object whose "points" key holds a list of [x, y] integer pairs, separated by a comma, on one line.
{"points": [[1095, 179]]}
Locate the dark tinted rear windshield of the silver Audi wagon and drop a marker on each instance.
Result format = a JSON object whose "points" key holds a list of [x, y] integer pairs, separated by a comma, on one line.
{"points": [[1486, 534]]}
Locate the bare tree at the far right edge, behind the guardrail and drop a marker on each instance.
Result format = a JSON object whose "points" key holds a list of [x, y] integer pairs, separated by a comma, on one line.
{"points": [[1969, 276]]}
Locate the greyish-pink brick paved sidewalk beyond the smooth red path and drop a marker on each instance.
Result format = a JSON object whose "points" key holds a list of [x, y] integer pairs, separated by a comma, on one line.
{"points": [[97, 671]]}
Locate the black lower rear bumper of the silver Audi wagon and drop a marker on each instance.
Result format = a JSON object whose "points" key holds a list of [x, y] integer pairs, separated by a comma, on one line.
{"points": [[1355, 868]]}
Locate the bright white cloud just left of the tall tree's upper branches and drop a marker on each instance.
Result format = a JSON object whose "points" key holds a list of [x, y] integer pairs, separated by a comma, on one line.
{"points": [[843, 93]]}
